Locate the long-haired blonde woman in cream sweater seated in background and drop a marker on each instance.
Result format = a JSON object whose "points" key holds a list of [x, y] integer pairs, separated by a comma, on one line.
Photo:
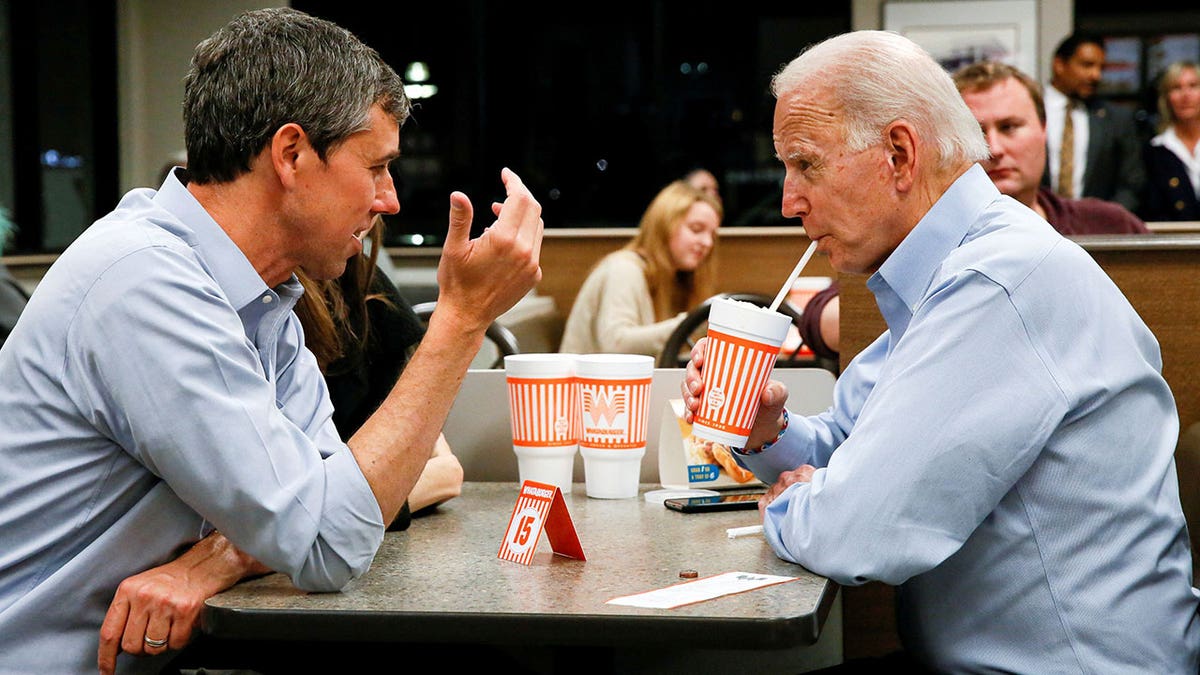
{"points": [[635, 297]]}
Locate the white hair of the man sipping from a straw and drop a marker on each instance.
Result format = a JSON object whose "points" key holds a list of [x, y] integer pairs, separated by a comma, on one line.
{"points": [[879, 77]]}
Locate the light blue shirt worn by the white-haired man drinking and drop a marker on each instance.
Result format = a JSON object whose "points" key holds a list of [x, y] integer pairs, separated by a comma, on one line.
{"points": [[1004, 453]]}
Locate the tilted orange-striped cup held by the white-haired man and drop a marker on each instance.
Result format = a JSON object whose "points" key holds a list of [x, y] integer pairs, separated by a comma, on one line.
{"points": [[743, 344]]}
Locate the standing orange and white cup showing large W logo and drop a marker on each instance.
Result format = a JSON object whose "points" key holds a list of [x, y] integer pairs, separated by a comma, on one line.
{"points": [[615, 410]]}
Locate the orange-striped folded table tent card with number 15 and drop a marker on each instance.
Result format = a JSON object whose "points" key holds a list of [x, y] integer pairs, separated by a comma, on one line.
{"points": [[539, 507]]}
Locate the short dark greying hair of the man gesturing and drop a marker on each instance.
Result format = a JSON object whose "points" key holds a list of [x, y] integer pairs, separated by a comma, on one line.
{"points": [[271, 68]]}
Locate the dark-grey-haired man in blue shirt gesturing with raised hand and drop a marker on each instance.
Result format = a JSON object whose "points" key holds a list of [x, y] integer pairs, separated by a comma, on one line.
{"points": [[159, 402]]}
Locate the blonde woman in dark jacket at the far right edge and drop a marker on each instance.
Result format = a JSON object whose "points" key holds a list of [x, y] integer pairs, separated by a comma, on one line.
{"points": [[1173, 163]]}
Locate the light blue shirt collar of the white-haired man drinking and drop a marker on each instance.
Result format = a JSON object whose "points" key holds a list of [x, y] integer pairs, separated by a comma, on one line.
{"points": [[910, 270]]}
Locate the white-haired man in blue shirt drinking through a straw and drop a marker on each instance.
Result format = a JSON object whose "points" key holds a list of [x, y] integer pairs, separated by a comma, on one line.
{"points": [[1005, 452]]}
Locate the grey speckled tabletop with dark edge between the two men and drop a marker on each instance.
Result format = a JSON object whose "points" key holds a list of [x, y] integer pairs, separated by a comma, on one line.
{"points": [[442, 582]]}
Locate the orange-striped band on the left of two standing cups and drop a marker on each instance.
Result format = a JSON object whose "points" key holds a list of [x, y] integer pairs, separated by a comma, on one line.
{"points": [[543, 411]]}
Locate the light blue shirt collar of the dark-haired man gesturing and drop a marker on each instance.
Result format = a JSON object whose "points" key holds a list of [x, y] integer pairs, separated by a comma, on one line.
{"points": [[225, 261]]}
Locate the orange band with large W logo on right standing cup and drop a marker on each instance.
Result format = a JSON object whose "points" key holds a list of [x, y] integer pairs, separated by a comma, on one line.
{"points": [[615, 413]]}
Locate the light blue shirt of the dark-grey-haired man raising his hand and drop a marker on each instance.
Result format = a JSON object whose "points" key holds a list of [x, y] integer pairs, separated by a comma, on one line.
{"points": [[154, 390]]}
